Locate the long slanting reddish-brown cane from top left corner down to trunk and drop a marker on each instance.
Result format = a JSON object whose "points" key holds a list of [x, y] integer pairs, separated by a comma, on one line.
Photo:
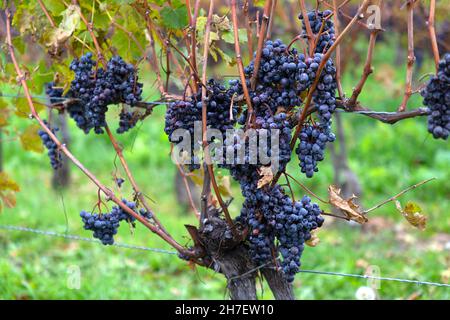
{"points": [[109, 194]]}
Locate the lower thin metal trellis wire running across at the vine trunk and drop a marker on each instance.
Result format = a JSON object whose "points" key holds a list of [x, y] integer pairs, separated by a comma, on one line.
{"points": [[128, 246]]}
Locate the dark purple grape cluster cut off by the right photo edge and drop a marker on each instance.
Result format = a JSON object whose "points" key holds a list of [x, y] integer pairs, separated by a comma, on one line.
{"points": [[436, 96]]}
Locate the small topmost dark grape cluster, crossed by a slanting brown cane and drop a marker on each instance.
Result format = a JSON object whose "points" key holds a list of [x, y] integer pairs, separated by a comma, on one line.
{"points": [[322, 23]]}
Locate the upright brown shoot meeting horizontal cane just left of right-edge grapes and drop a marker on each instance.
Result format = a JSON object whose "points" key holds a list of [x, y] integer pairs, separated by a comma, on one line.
{"points": [[411, 57]]}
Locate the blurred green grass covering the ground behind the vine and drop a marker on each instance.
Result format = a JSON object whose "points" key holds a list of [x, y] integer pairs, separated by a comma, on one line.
{"points": [[385, 158]]}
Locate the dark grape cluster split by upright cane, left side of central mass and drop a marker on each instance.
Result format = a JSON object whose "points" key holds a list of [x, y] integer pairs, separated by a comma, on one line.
{"points": [[185, 114]]}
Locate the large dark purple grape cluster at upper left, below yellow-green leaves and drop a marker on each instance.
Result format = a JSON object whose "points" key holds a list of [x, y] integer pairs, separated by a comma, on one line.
{"points": [[96, 88]]}
